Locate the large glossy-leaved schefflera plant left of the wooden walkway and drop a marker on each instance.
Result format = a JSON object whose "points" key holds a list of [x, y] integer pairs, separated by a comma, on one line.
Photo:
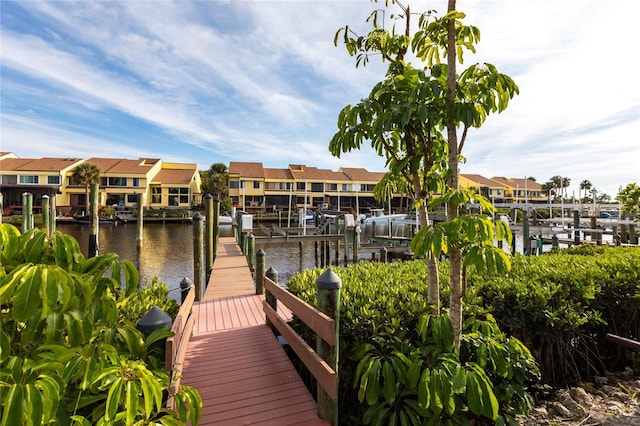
{"points": [[65, 356]]}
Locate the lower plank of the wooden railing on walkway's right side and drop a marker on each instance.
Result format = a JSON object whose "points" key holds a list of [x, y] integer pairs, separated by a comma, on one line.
{"points": [[323, 373]]}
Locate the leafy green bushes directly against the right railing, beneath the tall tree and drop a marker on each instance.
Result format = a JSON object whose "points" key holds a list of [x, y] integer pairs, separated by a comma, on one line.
{"points": [[403, 362]]}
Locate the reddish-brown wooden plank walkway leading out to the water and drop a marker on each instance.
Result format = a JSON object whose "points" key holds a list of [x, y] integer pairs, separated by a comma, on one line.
{"points": [[234, 360]]}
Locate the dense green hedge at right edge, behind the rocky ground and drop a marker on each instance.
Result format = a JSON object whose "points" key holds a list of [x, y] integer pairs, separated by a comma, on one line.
{"points": [[561, 306]]}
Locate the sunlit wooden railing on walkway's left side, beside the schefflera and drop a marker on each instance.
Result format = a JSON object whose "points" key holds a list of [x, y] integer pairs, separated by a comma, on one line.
{"points": [[176, 345]]}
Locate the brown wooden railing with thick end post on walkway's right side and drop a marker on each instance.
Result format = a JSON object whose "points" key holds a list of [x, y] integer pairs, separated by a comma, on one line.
{"points": [[324, 321]]}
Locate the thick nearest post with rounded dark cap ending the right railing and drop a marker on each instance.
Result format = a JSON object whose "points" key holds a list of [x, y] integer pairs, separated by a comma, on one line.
{"points": [[328, 294]]}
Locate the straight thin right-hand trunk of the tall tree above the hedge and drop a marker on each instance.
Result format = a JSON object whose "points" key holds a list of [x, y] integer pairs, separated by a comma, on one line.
{"points": [[455, 256]]}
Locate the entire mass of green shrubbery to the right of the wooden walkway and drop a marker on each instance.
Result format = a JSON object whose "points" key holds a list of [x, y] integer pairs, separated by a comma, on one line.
{"points": [[527, 334]]}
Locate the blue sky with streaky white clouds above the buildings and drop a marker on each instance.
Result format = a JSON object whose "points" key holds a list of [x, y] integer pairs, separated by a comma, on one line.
{"points": [[218, 81]]}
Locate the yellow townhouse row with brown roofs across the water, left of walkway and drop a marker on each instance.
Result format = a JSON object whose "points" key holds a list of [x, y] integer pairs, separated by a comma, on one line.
{"points": [[122, 182]]}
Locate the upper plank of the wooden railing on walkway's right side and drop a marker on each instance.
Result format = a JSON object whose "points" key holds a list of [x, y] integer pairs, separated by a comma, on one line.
{"points": [[320, 323]]}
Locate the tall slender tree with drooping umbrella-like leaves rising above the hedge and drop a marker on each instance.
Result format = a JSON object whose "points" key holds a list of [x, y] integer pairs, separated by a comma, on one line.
{"points": [[402, 118]]}
